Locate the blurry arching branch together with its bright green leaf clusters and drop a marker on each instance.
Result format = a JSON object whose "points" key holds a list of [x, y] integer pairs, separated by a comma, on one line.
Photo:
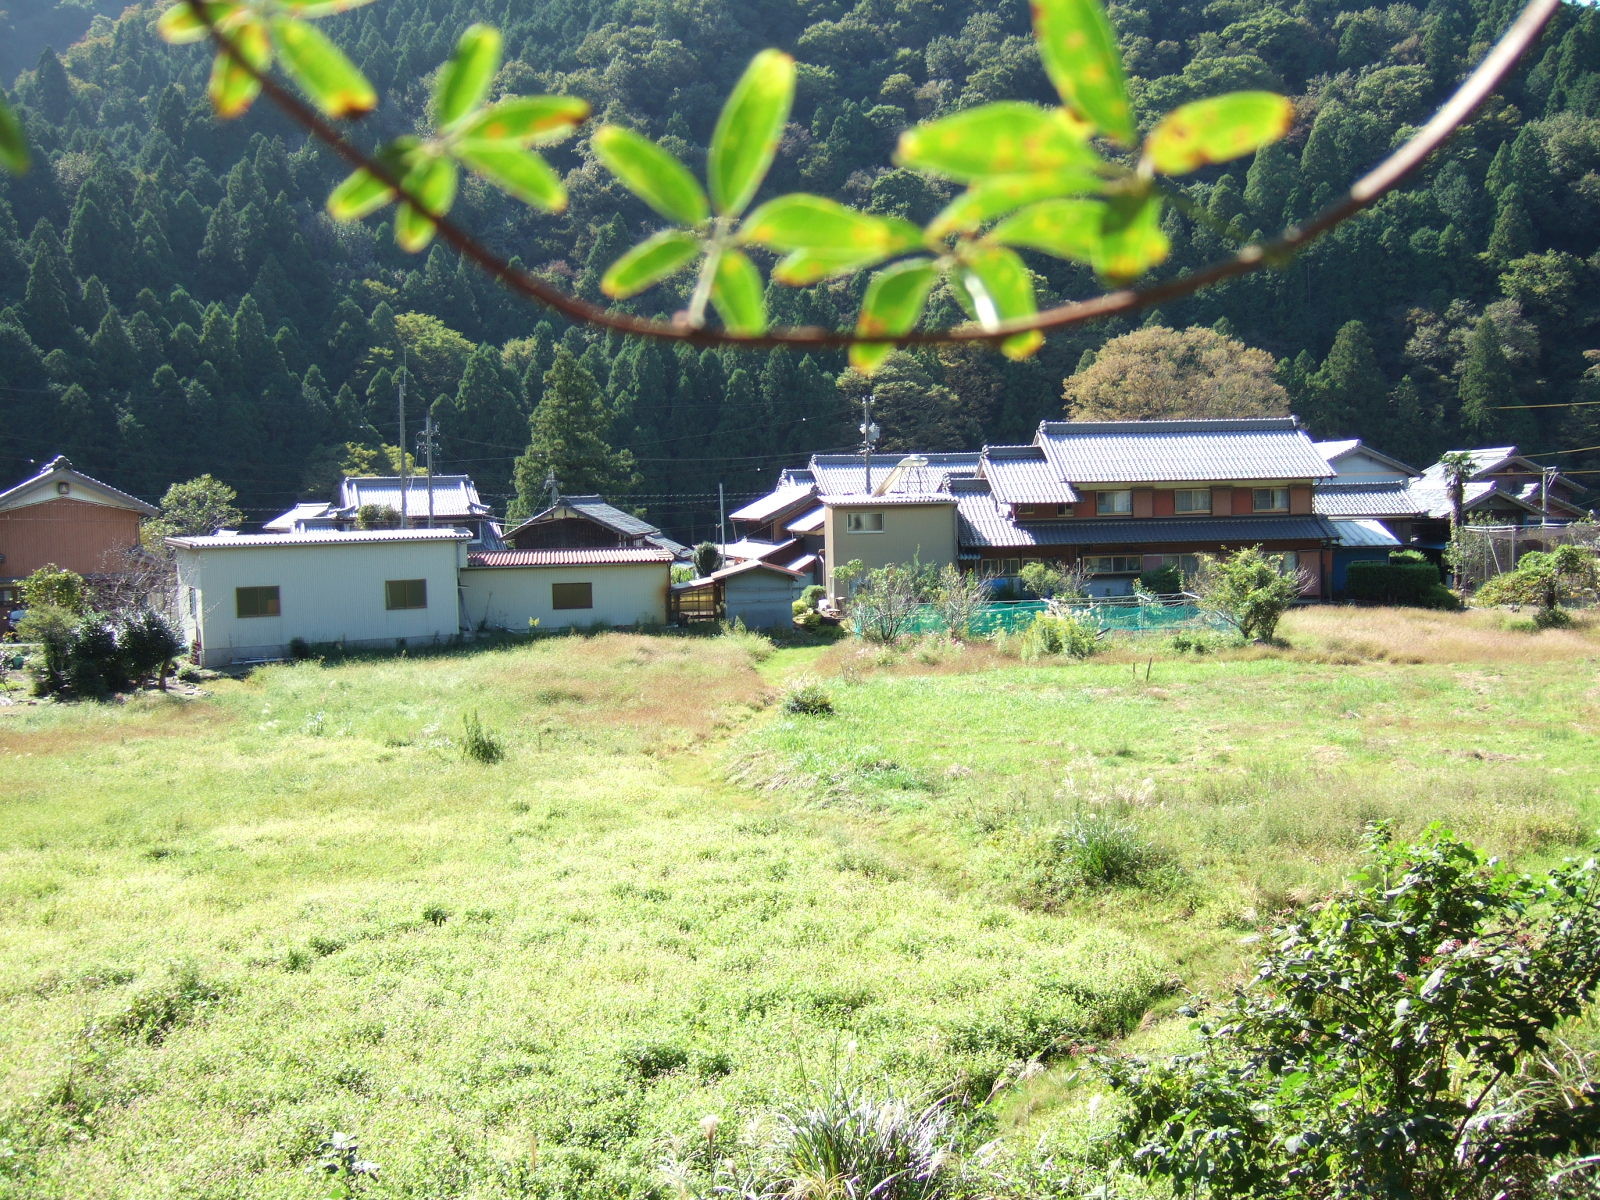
{"points": [[1074, 182]]}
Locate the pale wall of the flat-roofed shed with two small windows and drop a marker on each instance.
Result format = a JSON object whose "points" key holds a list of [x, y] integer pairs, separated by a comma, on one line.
{"points": [[326, 594]]}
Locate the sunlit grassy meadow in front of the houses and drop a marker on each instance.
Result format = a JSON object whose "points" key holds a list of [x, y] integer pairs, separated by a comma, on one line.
{"points": [[239, 922]]}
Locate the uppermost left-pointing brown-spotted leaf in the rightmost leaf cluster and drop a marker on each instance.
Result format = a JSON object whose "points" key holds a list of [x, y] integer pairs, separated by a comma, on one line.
{"points": [[1006, 140]]}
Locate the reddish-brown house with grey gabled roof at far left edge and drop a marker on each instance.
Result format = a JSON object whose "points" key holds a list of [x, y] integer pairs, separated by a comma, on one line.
{"points": [[65, 518]]}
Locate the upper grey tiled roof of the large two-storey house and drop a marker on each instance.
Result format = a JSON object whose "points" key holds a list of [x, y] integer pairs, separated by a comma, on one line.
{"points": [[1148, 452]]}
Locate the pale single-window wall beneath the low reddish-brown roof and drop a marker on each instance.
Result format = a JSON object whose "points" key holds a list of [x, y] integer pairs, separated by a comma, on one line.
{"points": [[510, 598]]}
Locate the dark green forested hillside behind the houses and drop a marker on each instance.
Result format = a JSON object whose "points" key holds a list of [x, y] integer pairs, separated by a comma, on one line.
{"points": [[175, 302]]}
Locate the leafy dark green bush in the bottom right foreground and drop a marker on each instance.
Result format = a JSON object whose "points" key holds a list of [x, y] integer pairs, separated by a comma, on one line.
{"points": [[1375, 1052]]}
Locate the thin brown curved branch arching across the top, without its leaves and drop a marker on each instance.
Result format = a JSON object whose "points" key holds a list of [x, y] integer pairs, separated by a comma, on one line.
{"points": [[1361, 196]]}
